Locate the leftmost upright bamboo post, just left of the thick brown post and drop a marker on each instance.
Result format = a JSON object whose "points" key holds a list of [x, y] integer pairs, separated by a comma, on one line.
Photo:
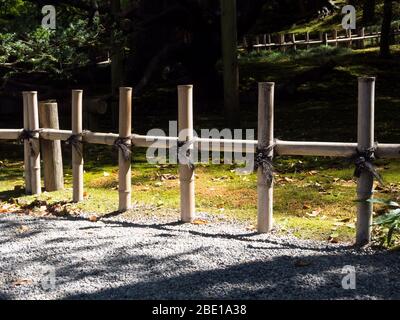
{"points": [[34, 143]]}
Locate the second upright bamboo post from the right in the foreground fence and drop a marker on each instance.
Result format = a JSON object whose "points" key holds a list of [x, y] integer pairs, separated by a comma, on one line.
{"points": [[265, 139]]}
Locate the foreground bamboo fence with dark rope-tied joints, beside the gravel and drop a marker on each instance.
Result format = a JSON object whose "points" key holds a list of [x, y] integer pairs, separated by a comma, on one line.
{"points": [[266, 141]]}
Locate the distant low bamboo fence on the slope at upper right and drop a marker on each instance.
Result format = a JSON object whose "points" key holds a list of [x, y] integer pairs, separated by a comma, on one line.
{"points": [[294, 41]]}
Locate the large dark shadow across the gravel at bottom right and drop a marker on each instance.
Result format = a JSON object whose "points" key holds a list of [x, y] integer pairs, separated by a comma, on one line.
{"points": [[278, 278]]}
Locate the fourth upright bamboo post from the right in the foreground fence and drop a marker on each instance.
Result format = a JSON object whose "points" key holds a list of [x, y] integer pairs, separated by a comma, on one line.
{"points": [[125, 132]]}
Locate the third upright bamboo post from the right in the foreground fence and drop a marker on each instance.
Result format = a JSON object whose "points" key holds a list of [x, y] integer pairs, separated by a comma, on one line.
{"points": [[186, 174]]}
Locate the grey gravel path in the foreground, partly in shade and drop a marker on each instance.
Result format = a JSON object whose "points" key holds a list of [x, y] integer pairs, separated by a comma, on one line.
{"points": [[116, 259]]}
